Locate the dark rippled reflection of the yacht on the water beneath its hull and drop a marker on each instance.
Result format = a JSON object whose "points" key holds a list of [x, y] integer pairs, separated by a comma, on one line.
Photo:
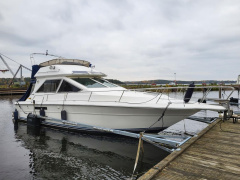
{"points": [[63, 155]]}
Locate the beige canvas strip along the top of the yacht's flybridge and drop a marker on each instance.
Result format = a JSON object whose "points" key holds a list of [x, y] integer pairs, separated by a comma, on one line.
{"points": [[65, 62]]}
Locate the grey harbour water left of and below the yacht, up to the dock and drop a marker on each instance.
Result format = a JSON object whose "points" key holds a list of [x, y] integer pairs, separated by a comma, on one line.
{"points": [[53, 154]]}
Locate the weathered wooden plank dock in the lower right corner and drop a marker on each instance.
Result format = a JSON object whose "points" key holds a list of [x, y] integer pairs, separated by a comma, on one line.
{"points": [[213, 154]]}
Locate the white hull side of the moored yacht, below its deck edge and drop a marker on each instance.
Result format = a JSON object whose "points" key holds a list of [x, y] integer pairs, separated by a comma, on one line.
{"points": [[133, 119]]}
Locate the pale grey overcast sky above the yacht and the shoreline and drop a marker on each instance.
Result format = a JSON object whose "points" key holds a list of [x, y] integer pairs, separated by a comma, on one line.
{"points": [[127, 39]]}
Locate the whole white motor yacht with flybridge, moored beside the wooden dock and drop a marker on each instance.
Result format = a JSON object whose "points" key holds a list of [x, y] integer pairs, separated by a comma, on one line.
{"points": [[71, 94]]}
